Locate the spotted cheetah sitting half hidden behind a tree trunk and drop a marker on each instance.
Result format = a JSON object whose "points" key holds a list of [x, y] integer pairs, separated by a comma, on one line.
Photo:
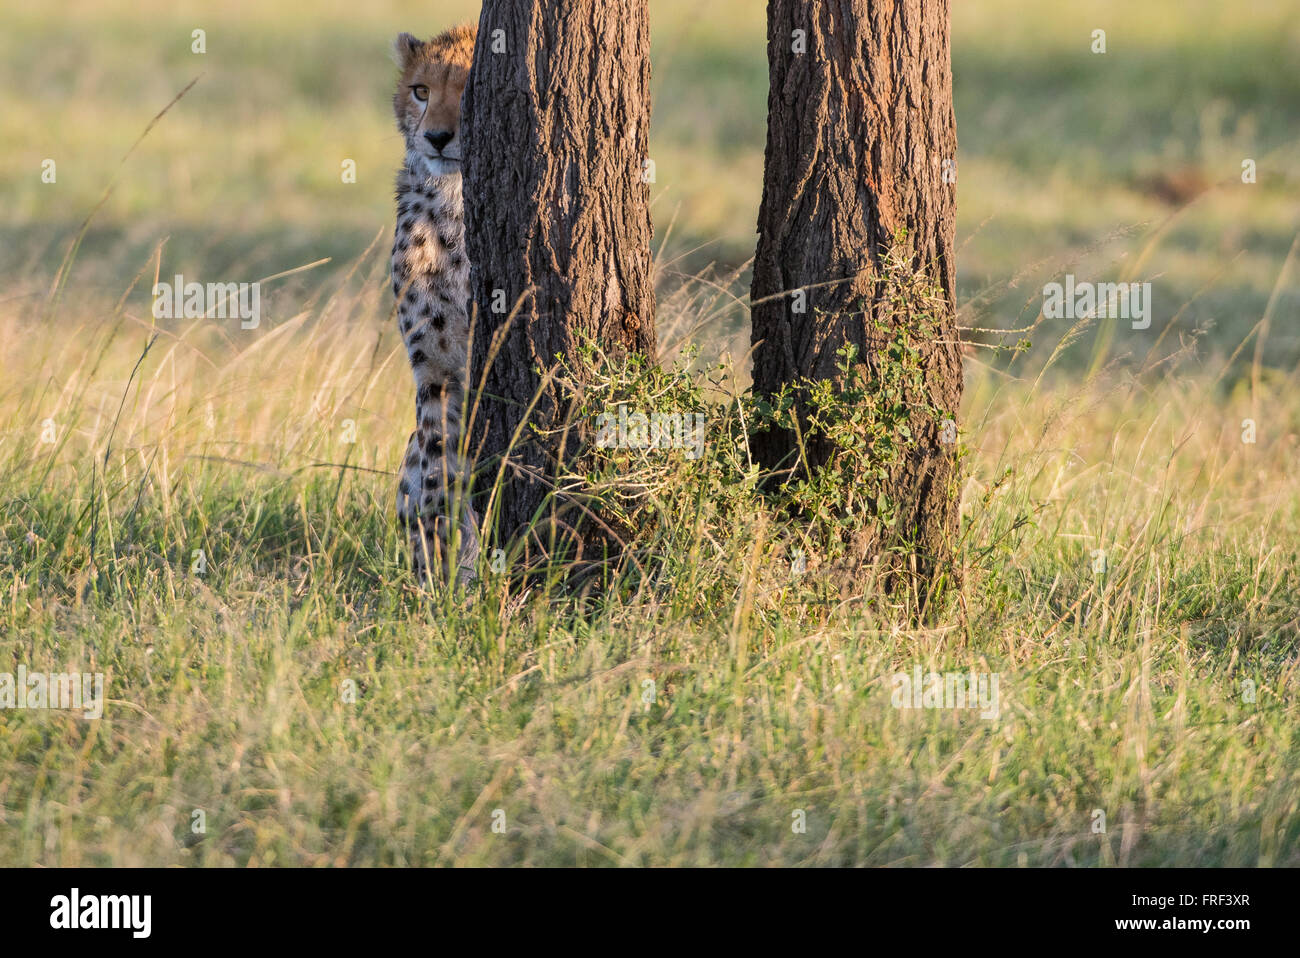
{"points": [[431, 284]]}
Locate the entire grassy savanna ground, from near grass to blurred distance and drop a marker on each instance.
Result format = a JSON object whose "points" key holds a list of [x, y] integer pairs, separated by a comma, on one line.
{"points": [[691, 714]]}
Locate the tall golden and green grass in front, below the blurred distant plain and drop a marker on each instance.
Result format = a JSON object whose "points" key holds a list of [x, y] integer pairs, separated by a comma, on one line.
{"points": [[687, 718]]}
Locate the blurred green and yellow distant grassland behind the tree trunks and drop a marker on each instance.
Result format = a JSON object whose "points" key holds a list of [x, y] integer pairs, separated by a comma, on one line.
{"points": [[1112, 167]]}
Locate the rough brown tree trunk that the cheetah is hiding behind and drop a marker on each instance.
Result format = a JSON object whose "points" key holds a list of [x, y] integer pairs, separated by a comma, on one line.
{"points": [[557, 125]]}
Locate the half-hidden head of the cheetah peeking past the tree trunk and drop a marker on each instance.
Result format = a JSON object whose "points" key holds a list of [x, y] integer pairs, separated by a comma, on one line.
{"points": [[427, 102]]}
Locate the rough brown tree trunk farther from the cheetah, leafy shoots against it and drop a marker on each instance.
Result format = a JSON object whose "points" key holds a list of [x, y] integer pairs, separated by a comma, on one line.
{"points": [[861, 159]]}
